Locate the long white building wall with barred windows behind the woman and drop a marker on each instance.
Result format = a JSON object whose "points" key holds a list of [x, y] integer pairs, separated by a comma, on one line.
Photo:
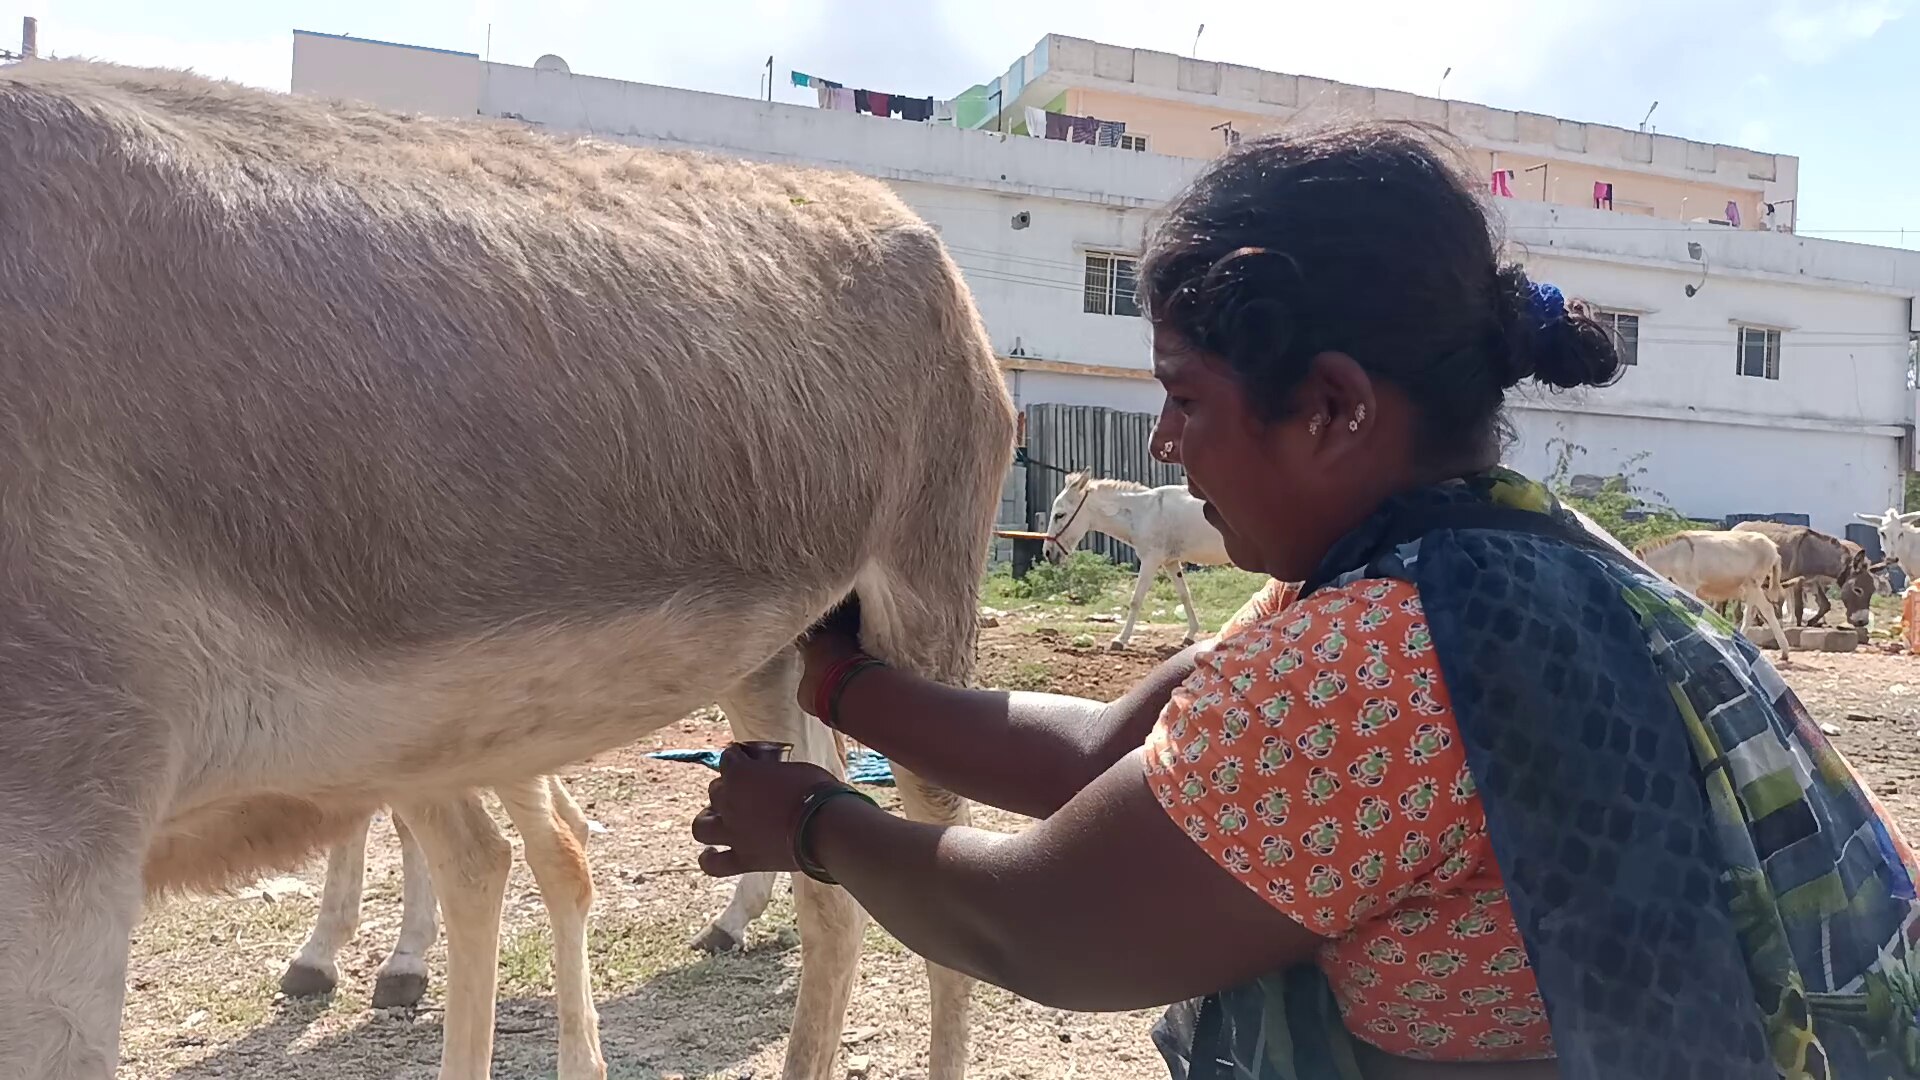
{"points": [[1777, 387]]}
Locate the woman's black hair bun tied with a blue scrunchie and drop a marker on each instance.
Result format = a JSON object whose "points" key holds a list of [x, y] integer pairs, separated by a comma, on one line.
{"points": [[1548, 337]]}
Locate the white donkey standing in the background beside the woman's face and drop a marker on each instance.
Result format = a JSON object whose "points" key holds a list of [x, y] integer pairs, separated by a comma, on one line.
{"points": [[1164, 526]]}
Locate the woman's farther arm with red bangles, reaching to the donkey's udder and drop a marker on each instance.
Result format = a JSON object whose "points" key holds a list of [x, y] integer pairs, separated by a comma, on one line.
{"points": [[1020, 752]]}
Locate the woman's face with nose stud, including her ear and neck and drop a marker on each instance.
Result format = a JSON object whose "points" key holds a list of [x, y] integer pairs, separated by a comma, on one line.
{"points": [[1280, 491]]}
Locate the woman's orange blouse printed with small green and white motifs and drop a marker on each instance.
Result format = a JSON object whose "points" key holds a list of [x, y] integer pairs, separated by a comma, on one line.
{"points": [[1314, 756]]}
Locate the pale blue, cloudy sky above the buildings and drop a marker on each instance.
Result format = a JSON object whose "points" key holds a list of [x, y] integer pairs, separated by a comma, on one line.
{"points": [[1831, 82]]}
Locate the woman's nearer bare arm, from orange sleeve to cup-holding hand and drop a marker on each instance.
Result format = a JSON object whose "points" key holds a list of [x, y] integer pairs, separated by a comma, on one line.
{"points": [[1105, 906]]}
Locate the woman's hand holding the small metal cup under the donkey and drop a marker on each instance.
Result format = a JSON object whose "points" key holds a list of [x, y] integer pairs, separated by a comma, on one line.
{"points": [[752, 814]]}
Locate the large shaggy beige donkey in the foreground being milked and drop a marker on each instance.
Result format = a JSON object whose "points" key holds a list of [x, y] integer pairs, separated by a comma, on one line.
{"points": [[362, 460]]}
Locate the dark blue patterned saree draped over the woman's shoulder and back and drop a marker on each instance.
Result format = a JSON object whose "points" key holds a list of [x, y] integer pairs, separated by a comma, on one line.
{"points": [[1704, 885]]}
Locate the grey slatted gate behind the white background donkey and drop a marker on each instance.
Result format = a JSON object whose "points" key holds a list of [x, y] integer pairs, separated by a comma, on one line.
{"points": [[1107, 443]]}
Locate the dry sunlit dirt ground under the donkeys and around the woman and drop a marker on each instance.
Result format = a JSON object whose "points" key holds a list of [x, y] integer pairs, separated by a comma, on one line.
{"points": [[203, 987]]}
